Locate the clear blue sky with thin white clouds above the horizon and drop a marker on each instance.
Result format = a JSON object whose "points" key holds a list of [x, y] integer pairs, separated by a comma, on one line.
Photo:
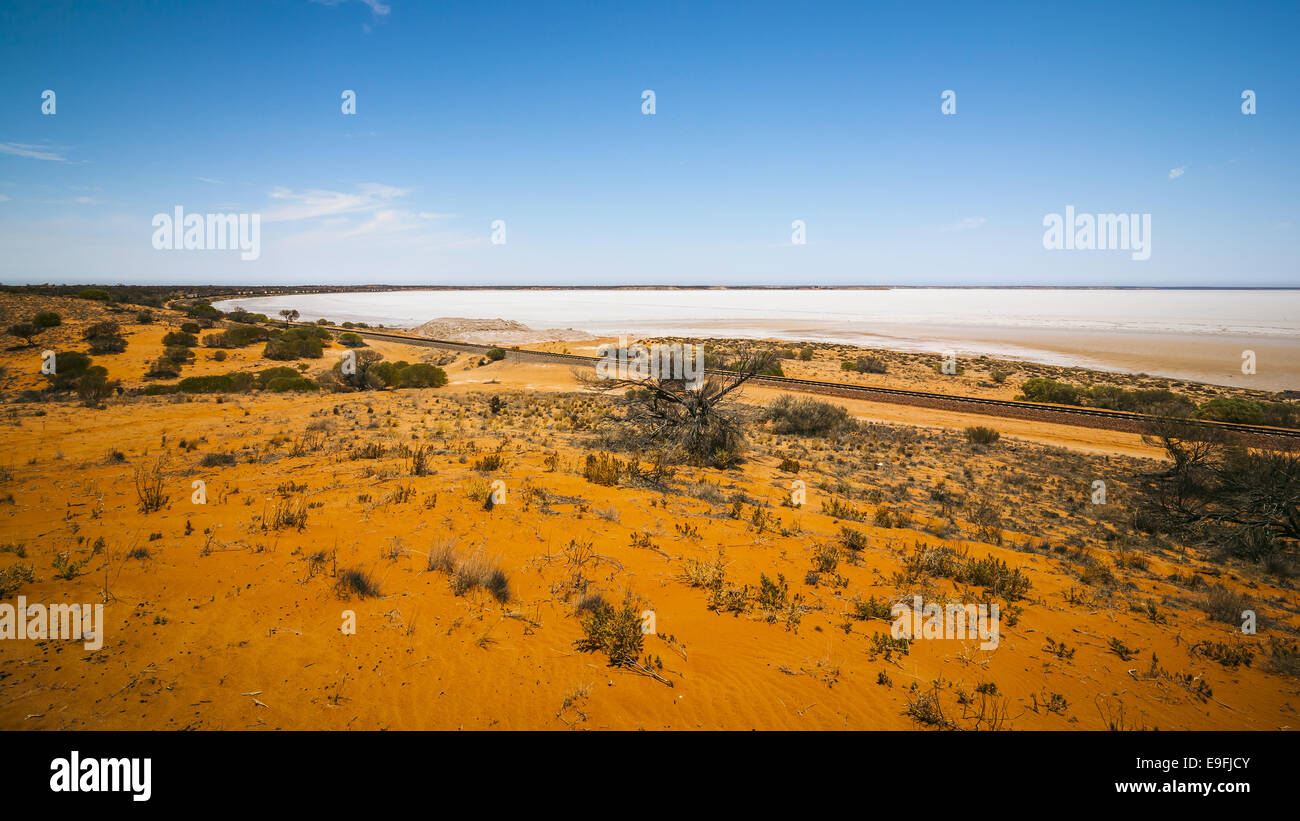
{"points": [[766, 114]]}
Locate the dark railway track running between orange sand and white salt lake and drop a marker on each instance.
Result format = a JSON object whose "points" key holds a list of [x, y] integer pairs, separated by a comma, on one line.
{"points": [[1063, 415]]}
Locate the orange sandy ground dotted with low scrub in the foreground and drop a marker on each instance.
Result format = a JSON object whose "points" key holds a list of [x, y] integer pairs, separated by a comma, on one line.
{"points": [[219, 618]]}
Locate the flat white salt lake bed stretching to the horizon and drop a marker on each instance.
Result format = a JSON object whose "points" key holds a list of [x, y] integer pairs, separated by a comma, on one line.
{"points": [[1188, 335]]}
